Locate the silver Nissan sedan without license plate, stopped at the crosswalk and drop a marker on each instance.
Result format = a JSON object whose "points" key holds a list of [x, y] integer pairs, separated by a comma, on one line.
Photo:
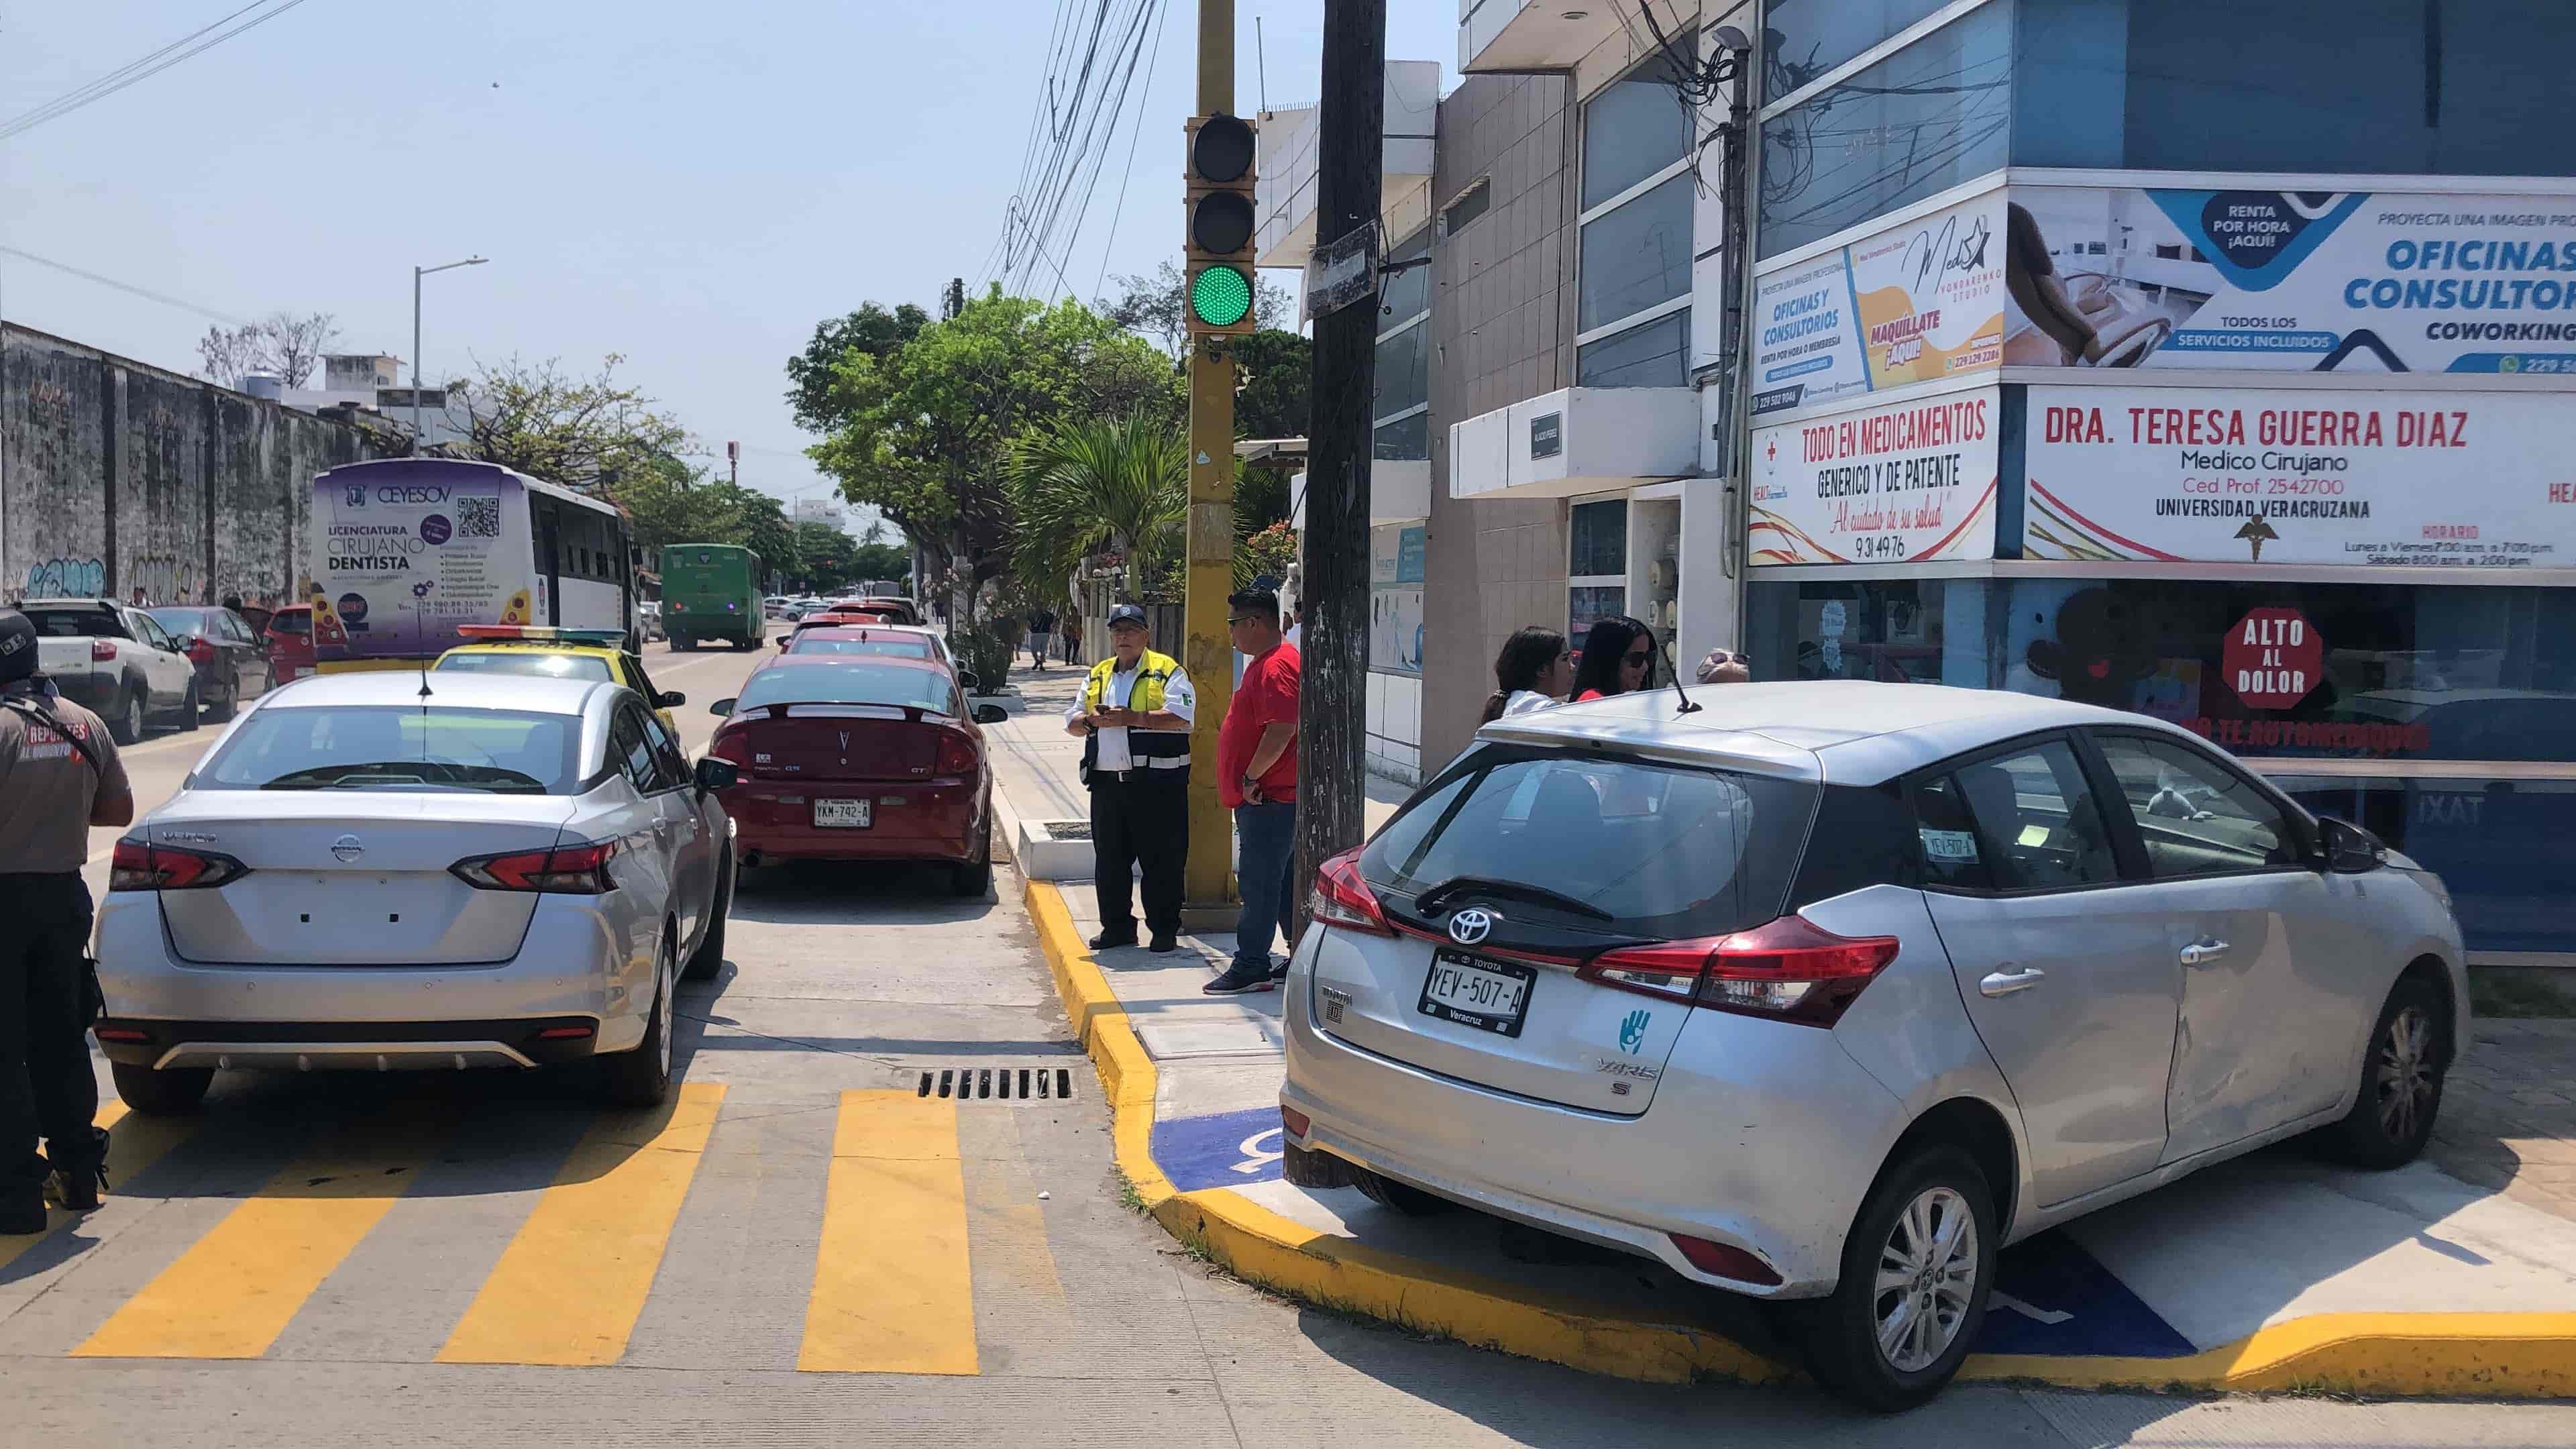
{"points": [[419, 870]]}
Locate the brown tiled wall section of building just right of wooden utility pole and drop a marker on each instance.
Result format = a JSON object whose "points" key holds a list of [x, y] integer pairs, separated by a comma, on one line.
{"points": [[1503, 329]]}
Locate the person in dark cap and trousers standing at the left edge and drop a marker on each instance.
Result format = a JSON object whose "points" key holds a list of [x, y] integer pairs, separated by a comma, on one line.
{"points": [[58, 777]]}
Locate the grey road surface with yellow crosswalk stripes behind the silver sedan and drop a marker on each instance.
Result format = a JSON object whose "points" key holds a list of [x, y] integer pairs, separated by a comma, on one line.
{"points": [[808, 1249]]}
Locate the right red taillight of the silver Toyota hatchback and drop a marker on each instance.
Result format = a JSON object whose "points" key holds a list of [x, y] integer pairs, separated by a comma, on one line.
{"points": [[1786, 971]]}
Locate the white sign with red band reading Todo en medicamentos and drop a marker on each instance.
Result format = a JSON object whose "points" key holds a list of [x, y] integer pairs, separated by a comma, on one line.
{"points": [[1910, 481]]}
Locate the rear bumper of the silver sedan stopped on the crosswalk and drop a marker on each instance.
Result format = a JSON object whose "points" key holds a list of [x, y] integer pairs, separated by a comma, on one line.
{"points": [[576, 968]]}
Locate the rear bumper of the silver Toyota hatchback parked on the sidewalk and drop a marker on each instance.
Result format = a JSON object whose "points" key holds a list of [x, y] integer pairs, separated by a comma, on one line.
{"points": [[1761, 1136]]}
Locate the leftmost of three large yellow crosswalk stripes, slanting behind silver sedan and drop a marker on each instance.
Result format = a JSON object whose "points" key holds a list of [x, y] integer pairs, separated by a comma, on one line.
{"points": [[236, 1290]]}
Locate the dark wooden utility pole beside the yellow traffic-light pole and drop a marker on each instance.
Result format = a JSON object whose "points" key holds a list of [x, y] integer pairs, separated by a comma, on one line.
{"points": [[1333, 713]]}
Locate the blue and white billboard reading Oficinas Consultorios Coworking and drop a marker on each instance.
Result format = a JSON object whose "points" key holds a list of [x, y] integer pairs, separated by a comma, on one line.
{"points": [[2291, 280]]}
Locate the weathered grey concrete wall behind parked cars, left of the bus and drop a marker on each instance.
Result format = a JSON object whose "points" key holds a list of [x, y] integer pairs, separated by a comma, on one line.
{"points": [[120, 476]]}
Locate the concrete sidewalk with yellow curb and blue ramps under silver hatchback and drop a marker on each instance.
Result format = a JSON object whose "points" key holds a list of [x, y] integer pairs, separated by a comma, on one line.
{"points": [[2266, 1272]]}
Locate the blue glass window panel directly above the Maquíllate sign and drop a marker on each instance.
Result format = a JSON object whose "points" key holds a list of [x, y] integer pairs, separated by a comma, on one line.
{"points": [[1913, 125]]}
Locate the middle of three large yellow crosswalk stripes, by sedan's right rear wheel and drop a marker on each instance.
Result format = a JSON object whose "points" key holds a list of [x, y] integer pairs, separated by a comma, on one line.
{"points": [[573, 1283]]}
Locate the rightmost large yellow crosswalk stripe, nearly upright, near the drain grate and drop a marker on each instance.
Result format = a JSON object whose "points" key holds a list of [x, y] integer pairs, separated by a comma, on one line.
{"points": [[893, 1288]]}
